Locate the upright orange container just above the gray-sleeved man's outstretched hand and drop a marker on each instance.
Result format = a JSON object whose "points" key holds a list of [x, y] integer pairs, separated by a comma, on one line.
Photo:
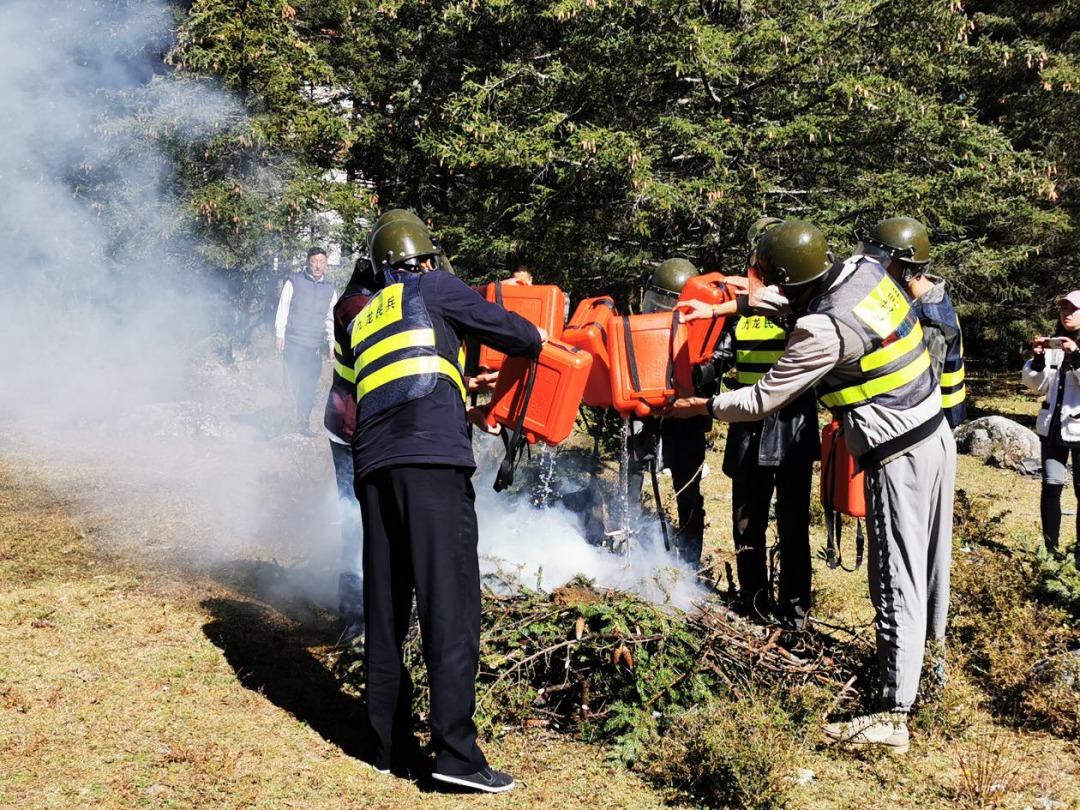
{"points": [[651, 362]]}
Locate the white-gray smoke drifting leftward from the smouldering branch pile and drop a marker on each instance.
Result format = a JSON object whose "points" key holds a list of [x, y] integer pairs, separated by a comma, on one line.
{"points": [[110, 369]]}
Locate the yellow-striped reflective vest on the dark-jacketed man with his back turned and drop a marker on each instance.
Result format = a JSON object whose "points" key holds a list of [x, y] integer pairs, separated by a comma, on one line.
{"points": [[398, 357]]}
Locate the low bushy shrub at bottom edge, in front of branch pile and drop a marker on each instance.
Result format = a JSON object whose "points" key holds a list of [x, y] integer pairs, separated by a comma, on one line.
{"points": [[727, 753]]}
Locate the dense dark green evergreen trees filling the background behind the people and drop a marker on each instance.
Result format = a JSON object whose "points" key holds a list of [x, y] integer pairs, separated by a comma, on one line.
{"points": [[598, 138]]}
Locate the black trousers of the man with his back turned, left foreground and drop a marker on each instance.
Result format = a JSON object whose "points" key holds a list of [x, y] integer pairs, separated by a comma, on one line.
{"points": [[421, 535]]}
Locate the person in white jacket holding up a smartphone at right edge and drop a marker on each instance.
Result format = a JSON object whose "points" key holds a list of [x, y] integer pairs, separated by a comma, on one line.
{"points": [[1055, 372]]}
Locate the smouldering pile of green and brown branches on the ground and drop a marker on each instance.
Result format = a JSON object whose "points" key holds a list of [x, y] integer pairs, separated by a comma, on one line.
{"points": [[606, 666]]}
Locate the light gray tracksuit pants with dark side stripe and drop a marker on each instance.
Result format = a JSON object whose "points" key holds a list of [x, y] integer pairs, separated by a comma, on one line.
{"points": [[910, 524]]}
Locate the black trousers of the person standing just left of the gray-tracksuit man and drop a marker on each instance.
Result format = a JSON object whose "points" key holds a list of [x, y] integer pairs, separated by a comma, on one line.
{"points": [[751, 497]]}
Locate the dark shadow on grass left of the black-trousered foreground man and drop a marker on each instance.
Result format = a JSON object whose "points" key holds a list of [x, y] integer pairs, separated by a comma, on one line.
{"points": [[271, 656]]}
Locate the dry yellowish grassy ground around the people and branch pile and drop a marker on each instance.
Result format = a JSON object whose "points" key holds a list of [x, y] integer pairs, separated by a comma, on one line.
{"points": [[126, 683]]}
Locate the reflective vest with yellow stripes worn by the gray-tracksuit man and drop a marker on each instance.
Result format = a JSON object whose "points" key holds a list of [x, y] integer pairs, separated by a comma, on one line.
{"points": [[895, 369]]}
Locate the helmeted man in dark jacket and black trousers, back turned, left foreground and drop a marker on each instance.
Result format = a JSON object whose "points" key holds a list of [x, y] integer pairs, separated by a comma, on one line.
{"points": [[414, 466]]}
